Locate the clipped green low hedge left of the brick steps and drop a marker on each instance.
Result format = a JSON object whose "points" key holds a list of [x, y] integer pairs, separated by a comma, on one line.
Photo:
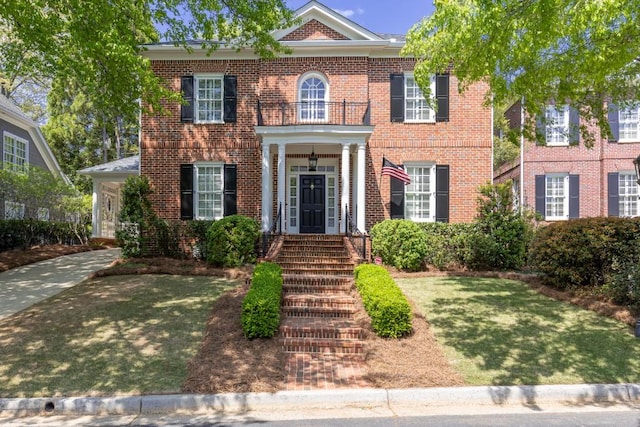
{"points": [[261, 306]]}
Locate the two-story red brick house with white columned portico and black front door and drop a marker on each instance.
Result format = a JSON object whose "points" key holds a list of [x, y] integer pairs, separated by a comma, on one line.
{"points": [[243, 142]]}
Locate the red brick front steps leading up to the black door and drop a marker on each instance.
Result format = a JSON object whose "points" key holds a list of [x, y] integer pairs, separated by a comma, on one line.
{"points": [[324, 345]]}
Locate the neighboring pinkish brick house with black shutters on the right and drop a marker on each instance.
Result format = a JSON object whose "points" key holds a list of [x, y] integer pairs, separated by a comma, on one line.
{"points": [[563, 179]]}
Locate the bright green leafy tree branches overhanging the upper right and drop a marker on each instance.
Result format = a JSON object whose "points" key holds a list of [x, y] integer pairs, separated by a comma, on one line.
{"points": [[578, 52]]}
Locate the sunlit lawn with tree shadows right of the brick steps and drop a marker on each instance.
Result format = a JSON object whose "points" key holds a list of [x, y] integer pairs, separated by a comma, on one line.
{"points": [[500, 332]]}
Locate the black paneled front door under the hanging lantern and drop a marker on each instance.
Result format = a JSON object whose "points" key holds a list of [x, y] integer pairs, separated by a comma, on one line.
{"points": [[312, 204]]}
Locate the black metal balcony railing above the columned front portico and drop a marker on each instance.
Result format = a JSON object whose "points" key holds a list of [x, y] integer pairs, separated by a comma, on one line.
{"points": [[310, 113]]}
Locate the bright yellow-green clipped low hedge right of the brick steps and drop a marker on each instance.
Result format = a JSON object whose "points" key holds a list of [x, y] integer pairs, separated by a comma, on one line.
{"points": [[390, 312]]}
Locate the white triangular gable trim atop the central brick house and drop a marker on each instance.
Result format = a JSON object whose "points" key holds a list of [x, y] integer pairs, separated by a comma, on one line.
{"points": [[330, 18]]}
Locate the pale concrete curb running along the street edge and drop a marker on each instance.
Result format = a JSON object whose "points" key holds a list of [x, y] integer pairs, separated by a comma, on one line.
{"points": [[394, 399]]}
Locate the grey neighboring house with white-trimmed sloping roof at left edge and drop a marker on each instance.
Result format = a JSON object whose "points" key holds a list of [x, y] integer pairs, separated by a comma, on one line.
{"points": [[22, 146]]}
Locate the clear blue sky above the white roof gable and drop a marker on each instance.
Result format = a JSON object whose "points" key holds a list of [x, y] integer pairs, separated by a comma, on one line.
{"points": [[379, 16]]}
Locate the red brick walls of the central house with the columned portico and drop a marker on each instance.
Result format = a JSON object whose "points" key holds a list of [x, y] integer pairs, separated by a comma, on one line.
{"points": [[464, 142]]}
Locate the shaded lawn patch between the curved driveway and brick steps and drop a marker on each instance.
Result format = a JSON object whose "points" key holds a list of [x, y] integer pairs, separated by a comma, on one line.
{"points": [[108, 336]]}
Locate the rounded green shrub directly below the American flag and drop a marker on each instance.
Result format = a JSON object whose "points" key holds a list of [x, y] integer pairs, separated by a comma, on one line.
{"points": [[400, 243]]}
